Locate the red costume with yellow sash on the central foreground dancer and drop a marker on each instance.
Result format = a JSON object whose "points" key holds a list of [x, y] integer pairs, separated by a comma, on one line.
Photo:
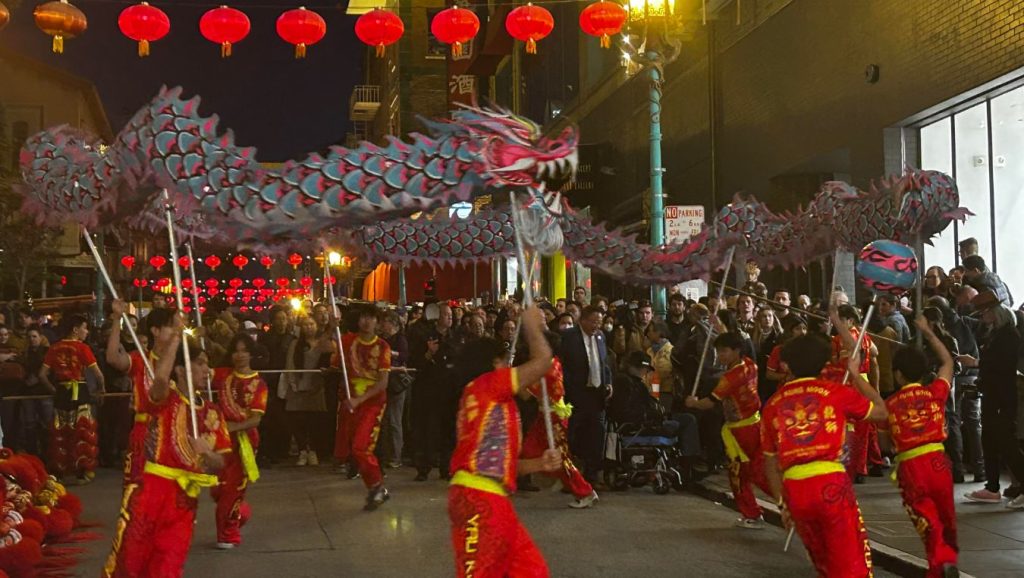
{"points": [[489, 541]]}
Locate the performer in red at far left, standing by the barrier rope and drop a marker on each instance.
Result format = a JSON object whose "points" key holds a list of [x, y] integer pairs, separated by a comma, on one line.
{"points": [[73, 438]]}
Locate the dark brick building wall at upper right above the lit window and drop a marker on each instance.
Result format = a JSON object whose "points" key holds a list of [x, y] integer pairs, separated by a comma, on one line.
{"points": [[792, 94]]}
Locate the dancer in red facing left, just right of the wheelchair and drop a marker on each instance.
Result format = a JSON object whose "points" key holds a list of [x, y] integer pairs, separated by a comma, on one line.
{"points": [[738, 392]]}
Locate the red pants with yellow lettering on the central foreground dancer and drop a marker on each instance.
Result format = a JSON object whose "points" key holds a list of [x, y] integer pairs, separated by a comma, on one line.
{"points": [[489, 541]]}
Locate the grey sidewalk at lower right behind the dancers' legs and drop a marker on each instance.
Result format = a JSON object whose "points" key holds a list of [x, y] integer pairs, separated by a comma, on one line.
{"points": [[992, 538]]}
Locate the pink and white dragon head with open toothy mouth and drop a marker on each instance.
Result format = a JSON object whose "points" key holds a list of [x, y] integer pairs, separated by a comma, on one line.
{"points": [[515, 151]]}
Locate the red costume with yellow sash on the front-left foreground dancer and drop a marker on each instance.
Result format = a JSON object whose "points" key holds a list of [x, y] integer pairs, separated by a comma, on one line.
{"points": [[158, 513]]}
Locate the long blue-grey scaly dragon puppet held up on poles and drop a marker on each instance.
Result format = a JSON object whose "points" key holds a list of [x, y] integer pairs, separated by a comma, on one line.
{"points": [[368, 195]]}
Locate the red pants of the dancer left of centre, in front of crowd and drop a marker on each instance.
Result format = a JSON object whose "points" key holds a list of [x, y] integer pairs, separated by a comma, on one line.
{"points": [[357, 437]]}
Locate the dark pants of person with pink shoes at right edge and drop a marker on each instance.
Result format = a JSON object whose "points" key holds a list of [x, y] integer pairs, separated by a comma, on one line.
{"points": [[999, 434]]}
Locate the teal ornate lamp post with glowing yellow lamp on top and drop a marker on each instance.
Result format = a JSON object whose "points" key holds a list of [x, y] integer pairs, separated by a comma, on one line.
{"points": [[649, 48]]}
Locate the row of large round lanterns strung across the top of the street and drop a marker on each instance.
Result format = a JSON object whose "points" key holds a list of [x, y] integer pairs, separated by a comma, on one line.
{"points": [[378, 28]]}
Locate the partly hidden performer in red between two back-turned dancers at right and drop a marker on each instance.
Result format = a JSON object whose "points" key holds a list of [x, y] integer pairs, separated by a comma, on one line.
{"points": [[863, 437]]}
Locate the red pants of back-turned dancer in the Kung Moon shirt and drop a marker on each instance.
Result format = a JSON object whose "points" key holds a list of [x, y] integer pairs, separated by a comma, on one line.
{"points": [[828, 518]]}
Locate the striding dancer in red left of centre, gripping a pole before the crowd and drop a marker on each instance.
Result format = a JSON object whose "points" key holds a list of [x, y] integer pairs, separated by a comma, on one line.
{"points": [[368, 360]]}
